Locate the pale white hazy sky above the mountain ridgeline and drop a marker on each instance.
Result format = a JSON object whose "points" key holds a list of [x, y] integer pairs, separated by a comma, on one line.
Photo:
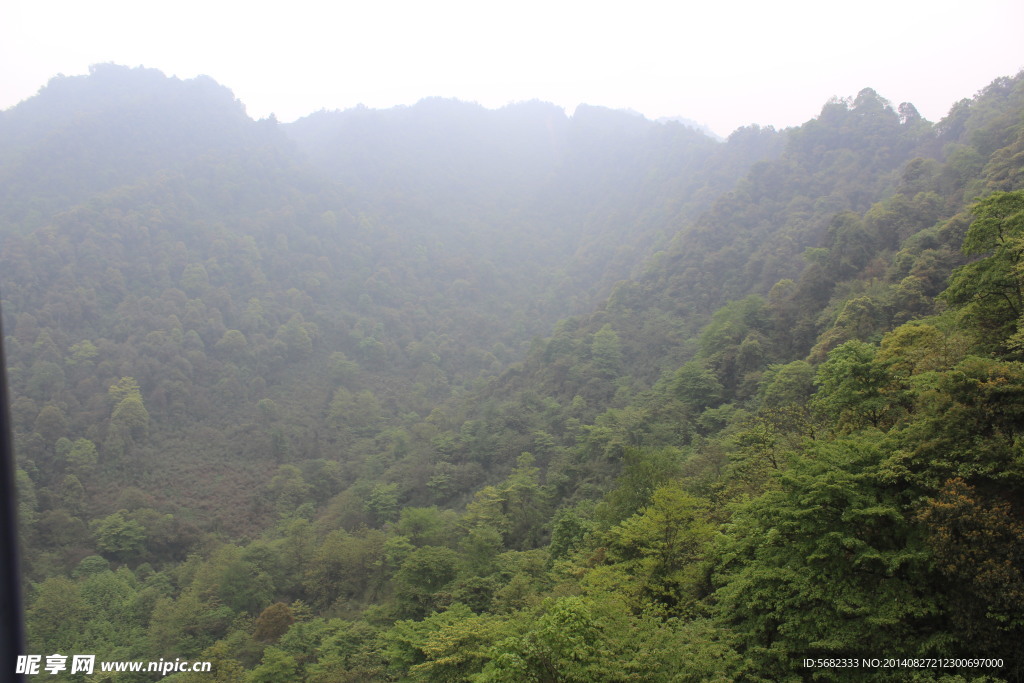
{"points": [[726, 64]]}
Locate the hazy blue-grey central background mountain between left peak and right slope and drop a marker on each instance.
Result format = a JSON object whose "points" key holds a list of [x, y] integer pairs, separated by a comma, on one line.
{"points": [[574, 186]]}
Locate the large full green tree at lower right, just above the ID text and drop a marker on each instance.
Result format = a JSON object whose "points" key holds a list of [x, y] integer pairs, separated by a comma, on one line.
{"points": [[829, 565]]}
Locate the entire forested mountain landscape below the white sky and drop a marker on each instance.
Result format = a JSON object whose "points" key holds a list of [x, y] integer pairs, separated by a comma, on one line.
{"points": [[448, 394]]}
